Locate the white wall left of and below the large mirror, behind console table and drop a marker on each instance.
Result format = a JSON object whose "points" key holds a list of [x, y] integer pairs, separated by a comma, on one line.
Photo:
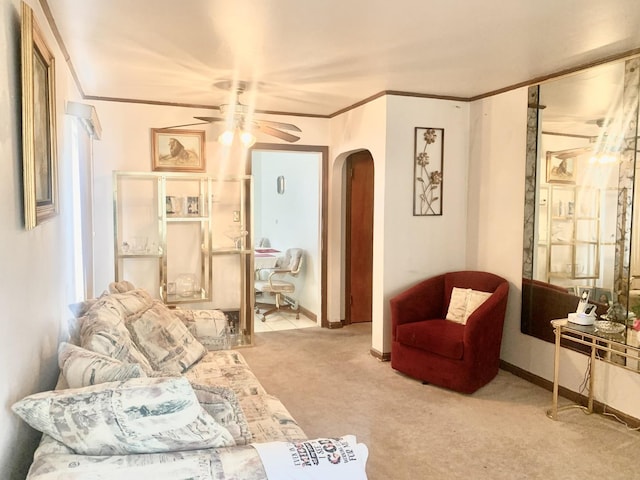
{"points": [[494, 232]]}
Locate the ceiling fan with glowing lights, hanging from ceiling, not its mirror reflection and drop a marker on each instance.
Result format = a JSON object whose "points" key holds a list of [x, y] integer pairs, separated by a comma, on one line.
{"points": [[238, 114]]}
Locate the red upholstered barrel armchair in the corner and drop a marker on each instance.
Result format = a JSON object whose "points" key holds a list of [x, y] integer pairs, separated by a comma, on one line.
{"points": [[430, 348]]}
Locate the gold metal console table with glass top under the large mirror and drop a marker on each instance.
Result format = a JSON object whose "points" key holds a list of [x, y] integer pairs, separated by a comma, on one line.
{"points": [[621, 349]]}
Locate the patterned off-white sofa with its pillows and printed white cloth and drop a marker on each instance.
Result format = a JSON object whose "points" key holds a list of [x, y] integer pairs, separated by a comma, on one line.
{"points": [[149, 392]]}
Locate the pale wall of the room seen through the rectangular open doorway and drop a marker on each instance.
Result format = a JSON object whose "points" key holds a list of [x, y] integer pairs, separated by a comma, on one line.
{"points": [[291, 219]]}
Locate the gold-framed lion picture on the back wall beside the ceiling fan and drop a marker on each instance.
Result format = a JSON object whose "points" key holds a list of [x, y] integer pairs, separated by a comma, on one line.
{"points": [[175, 150]]}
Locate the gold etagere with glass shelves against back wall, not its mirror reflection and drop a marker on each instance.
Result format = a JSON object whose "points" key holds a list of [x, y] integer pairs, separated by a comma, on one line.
{"points": [[185, 238]]}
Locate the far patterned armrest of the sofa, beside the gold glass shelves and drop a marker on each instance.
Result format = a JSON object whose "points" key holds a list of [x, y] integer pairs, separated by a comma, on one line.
{"points": [[210, 327]]}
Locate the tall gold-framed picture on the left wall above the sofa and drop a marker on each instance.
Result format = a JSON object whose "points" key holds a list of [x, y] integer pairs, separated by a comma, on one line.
{"points": [[39, 157]]}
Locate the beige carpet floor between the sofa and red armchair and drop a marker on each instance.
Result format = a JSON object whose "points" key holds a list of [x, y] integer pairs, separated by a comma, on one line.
{"points": [[332, 386]]}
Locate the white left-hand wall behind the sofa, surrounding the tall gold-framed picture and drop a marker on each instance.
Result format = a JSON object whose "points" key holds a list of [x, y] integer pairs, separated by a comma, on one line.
{"points": [[36, 282]]}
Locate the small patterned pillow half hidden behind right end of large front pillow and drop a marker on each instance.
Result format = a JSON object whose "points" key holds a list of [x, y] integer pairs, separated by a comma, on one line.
{"points": [[222, 404]]}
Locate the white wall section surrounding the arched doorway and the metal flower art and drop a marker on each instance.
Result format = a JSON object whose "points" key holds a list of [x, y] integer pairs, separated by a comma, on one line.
{"points": [[406, 248]]}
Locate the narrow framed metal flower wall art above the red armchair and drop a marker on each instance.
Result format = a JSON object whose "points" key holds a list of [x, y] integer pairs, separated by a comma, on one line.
{"points": [[428, 168]]}
